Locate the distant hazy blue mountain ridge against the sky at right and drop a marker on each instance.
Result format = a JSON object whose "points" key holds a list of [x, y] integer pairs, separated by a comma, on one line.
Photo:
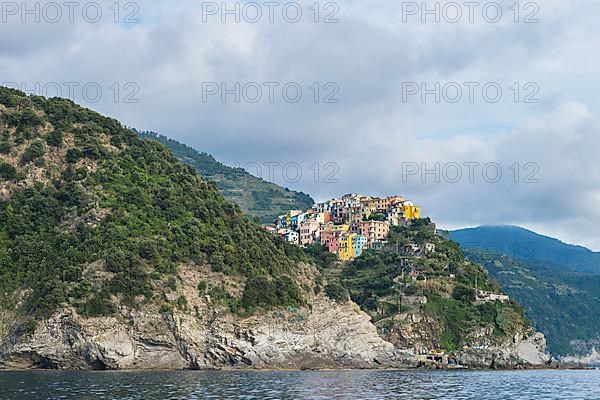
{"points": [[525, 245]]}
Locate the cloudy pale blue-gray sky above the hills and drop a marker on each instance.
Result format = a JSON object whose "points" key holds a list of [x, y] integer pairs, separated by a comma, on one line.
{"points": [[482, 114]]}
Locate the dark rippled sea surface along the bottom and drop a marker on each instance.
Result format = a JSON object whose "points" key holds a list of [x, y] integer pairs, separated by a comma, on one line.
{"points": [[302, 385]]}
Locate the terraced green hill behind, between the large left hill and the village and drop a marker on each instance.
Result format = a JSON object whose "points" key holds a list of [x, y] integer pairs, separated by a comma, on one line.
{"points": [[255, 196]]}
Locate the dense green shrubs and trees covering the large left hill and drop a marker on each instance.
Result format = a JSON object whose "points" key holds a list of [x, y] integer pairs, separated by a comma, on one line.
{"points": [[80, 195]]}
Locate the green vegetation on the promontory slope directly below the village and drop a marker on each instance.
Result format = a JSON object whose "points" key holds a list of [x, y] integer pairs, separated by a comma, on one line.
{"points": [[378, 280]]}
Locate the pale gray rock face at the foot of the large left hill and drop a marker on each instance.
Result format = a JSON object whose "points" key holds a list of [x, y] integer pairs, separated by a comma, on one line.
{"points": [[328, 336]]}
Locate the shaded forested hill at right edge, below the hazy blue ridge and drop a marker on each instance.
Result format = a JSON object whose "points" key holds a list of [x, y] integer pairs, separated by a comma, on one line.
{"points": [[563, 305]]}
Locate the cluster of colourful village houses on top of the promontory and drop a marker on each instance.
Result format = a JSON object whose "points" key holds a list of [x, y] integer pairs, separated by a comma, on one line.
{"points": [[346, 226]]}
